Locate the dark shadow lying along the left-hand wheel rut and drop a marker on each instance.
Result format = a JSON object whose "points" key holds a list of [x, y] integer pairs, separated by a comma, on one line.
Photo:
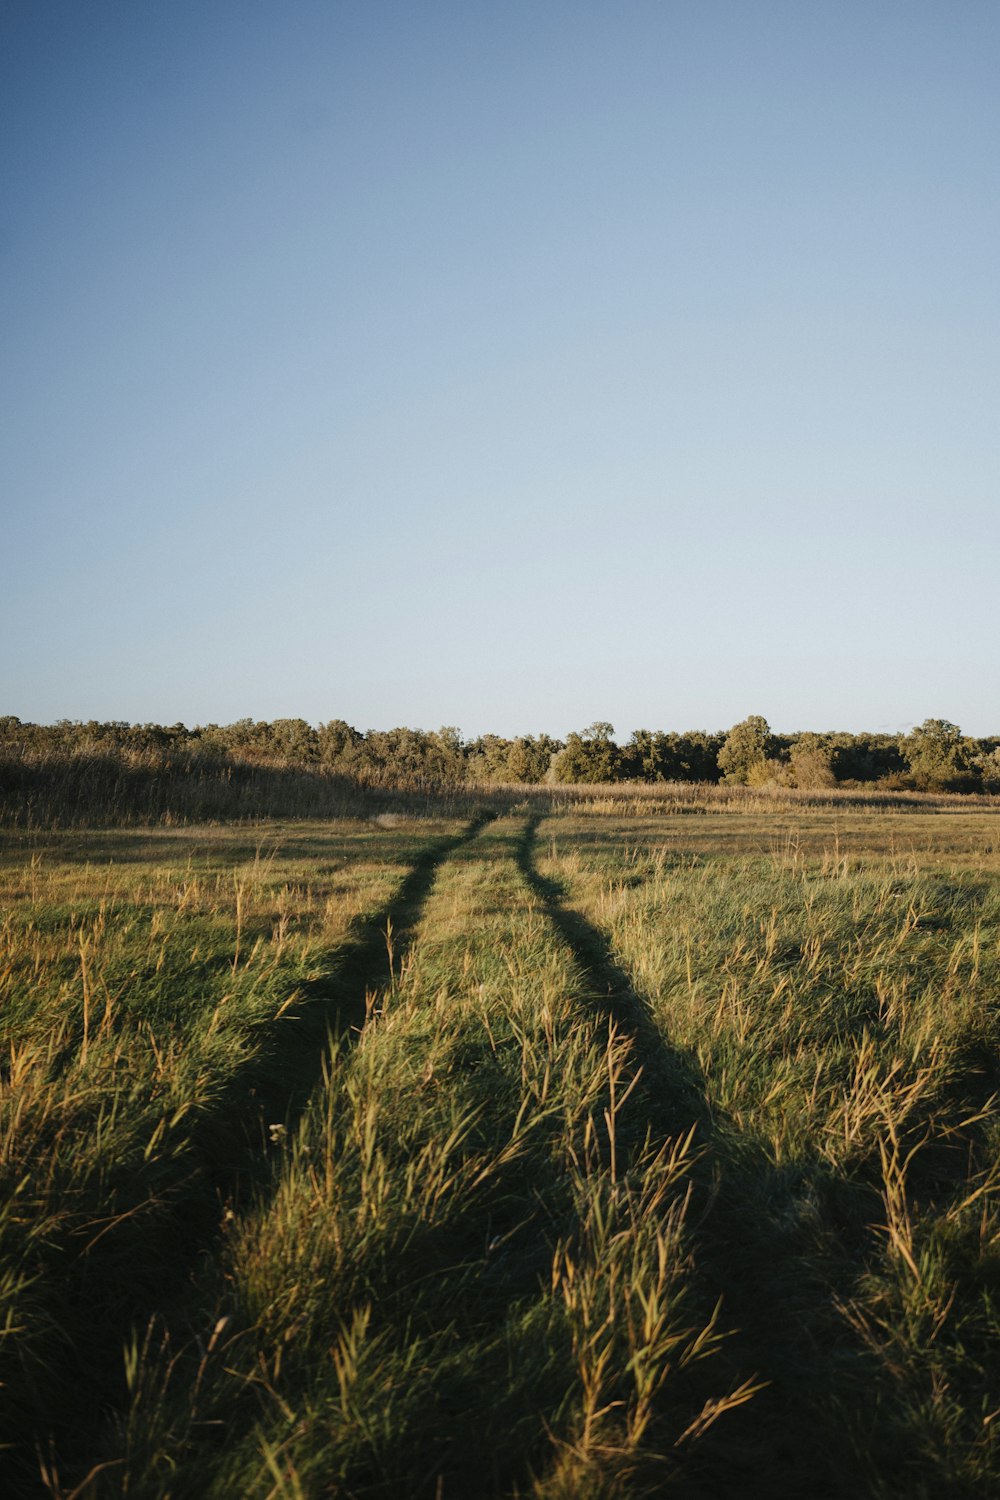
{"points": [[164, 1268]]}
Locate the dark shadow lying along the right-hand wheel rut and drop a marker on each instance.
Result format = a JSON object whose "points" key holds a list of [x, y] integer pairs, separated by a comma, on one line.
{"points": [[756, 1249]]}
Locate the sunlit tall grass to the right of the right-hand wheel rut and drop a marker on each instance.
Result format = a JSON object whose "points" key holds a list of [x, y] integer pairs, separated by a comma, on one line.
{"points": [[840, 1018]]}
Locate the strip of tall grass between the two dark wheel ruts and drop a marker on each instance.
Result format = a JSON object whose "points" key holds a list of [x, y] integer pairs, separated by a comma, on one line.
{"points": [[472, 1271]]}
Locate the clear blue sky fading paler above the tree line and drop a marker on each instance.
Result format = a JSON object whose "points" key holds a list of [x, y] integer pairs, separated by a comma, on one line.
{"points": [[504, 365]]}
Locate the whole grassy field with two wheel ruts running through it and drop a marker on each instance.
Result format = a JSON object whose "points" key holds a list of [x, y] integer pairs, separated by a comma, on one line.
{"points": [[560, 1148]]}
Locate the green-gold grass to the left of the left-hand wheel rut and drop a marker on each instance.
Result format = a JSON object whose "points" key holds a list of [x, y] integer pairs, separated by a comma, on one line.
{"points": [[155, 1010]]}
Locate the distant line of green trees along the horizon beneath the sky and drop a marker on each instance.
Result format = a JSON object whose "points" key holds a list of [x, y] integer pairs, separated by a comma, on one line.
{"points": [[935, 757]]}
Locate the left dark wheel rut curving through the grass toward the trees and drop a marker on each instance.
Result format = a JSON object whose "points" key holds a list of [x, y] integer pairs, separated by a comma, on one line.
{"points": [[230, 1165]]}
